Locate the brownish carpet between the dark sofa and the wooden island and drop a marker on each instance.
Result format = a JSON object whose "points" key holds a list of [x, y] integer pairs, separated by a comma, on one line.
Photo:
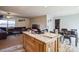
{"points": [[11, 40]]}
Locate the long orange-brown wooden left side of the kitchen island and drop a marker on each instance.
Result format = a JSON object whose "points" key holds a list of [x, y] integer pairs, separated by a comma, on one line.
{"points": [[32, 45]]}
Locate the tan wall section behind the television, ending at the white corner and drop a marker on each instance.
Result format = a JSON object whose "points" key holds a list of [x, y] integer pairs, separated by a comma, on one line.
{"points": [[40, 20]]}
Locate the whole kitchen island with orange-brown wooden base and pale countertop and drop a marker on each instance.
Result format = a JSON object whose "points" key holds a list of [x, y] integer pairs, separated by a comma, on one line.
{"points": [[47, 42]]}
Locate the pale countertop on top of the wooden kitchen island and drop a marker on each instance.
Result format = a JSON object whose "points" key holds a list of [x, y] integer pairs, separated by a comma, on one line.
{"points": [[46, 37]]}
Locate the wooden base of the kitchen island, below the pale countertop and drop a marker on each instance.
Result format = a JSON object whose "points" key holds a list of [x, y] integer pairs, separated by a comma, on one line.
{"points": [[32, 44]]}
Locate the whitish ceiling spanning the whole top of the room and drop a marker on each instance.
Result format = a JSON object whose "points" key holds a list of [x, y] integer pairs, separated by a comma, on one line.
{"points": [[32, 11]]}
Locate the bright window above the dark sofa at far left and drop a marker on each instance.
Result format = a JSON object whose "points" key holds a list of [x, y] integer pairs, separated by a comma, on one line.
{"points": [[9, 23]]}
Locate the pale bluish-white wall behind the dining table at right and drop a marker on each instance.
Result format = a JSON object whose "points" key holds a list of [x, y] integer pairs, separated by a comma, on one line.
{"points": [[69, 22]]}
